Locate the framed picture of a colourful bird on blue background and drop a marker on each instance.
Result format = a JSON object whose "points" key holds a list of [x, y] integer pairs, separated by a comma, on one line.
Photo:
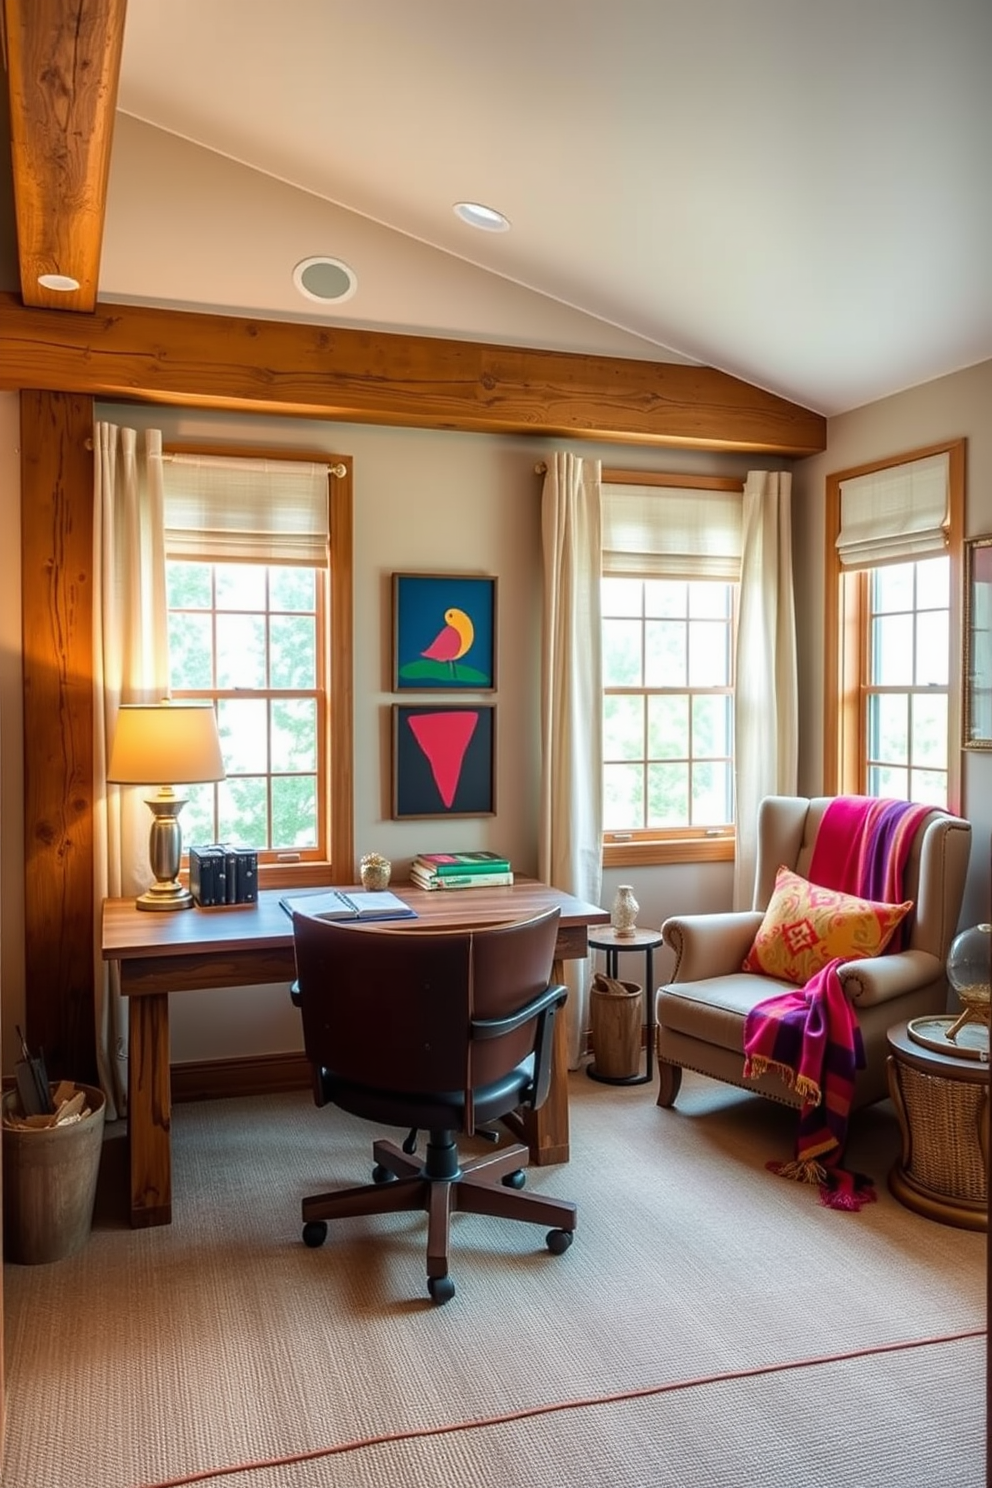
{"points": [[444, 633]]}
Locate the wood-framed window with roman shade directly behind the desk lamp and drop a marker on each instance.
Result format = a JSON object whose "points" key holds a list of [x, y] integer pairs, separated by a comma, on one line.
{"points": [[251, 569]]}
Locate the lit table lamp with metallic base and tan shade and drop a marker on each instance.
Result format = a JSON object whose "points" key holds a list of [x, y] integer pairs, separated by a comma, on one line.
{"points": [[175, 742]]}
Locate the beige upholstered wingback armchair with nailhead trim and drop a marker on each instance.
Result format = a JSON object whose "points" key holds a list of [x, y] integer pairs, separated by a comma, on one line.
{"points": [[701, 1011]]}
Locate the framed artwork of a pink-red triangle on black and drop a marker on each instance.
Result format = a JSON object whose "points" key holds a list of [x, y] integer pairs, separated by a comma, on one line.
{"points": [[444, 760]]}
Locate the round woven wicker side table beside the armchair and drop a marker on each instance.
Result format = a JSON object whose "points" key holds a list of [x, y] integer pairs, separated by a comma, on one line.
{"points": [[942, 1105]]}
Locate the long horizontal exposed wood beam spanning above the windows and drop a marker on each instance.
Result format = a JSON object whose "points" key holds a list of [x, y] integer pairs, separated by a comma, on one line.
{"points": [[161, 356]]}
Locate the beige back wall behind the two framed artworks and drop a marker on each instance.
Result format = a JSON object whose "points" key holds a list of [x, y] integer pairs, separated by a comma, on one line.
{"points": [[429, 501]]}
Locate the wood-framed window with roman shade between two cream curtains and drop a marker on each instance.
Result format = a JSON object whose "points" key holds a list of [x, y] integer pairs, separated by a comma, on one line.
{"points": [[671, 565]]}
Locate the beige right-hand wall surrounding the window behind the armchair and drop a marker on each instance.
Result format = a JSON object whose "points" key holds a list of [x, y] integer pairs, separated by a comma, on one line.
{"points": [[957, 407]]}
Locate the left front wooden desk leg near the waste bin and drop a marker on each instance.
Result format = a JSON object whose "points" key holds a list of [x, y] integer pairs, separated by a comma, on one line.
{"points": [[149, 1112]]}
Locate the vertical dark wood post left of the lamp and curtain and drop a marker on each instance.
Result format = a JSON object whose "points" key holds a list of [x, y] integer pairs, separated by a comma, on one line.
{"points": [[57, 538]]}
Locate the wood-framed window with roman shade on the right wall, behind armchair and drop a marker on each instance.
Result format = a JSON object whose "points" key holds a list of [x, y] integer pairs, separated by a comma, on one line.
{"points": [[893, 627]]}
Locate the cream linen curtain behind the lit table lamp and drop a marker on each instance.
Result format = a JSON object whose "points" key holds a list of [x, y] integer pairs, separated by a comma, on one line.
{"points": [[130, 666]]}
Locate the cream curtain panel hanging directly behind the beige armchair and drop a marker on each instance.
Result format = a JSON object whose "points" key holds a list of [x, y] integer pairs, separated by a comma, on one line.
{"points": [[767, 685]]}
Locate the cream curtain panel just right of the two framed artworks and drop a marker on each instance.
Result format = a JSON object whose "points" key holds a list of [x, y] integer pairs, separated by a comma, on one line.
{"points": [[570, 837]]}
